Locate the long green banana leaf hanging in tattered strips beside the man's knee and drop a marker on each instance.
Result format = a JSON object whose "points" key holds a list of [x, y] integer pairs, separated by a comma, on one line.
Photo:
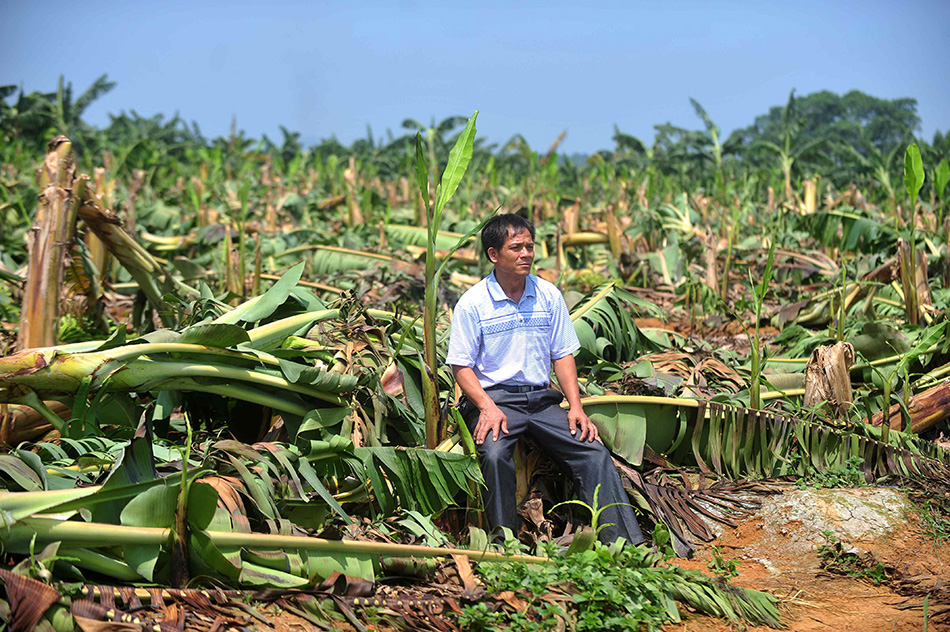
{"points": [[741, 443]]}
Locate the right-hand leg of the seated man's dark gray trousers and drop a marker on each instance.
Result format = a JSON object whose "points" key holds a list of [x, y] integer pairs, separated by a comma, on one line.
{"points": [[588, 463]]}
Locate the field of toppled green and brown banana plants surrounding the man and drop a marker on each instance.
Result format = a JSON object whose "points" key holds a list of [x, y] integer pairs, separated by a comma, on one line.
{"points": [[224, 402]]}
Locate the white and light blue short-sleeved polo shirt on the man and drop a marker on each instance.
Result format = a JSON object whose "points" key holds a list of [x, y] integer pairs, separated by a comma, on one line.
{"points": [[508, 342]]}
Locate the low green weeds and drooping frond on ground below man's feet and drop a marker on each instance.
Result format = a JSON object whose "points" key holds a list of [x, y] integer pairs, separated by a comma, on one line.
{"points": [[606, 588]]}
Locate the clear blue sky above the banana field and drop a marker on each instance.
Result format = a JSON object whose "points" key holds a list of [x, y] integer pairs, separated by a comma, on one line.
{"points": [[533, 68]]}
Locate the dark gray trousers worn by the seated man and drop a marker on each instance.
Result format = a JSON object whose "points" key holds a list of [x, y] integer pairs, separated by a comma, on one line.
{"points": [[538, 415]]}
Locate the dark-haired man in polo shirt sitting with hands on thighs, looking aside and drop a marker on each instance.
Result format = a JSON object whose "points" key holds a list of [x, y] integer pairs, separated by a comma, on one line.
{"points": [[507, 330]]}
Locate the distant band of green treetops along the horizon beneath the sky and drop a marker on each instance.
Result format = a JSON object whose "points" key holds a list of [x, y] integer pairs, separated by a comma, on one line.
{"points": [[854, 138]]}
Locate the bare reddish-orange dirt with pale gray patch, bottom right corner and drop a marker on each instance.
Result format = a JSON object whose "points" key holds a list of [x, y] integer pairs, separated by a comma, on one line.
{"points": [[776, 551]]}
